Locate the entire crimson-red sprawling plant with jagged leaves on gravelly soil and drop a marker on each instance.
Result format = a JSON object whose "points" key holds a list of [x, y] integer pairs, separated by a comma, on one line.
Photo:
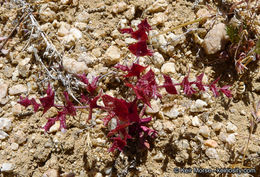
{"points": [[129, 122]]}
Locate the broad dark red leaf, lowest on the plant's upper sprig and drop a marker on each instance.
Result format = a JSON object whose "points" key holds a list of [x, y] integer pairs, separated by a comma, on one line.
{"points": [[140, 49]]}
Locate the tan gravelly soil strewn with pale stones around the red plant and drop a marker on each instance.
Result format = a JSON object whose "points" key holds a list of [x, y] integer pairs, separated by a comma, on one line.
{"points": [[193, 132]]}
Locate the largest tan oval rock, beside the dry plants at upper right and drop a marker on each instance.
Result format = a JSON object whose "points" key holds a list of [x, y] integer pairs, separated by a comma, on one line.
{"points": [[215, 39]]}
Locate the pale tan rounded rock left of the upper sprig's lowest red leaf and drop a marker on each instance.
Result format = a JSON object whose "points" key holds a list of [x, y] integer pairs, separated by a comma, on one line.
{"points": [[113, 55]]}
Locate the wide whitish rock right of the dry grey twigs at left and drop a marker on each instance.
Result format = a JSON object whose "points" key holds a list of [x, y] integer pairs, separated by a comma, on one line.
{"points": [[74, 67]]}
